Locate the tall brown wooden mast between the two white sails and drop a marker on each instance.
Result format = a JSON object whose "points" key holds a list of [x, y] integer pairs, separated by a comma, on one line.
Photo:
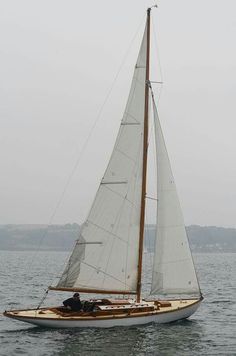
{"points": [[145, 150]]}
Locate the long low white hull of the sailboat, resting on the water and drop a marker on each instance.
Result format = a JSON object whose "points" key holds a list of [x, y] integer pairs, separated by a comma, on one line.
{"points": [[161, 316]]}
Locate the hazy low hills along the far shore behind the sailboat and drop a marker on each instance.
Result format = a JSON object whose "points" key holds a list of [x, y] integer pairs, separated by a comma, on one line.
{"points": [[62, 237]]}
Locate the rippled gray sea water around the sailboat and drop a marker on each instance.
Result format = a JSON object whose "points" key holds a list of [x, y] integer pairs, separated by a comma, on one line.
{"points": [[210, 331]]}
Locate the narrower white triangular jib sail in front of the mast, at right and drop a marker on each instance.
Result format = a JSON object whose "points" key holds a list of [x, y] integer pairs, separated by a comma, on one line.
{"points": [[173, 268]]}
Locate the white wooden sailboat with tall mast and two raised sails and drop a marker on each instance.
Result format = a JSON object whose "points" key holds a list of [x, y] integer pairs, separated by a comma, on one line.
{"points": [[107, 258]]}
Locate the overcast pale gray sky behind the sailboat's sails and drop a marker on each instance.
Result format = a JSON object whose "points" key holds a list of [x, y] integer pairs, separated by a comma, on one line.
{"points": [[58, 60]]}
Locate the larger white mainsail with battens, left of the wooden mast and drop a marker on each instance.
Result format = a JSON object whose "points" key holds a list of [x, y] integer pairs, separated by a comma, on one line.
{"points": [[106, 254]]}
